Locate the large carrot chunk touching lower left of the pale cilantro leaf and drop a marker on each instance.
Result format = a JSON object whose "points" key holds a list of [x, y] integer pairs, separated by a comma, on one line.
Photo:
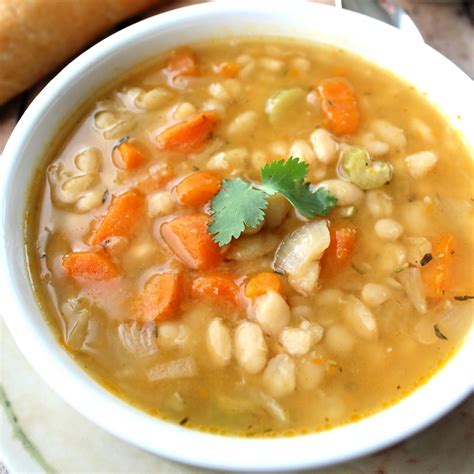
{"points": [[188, 238]]}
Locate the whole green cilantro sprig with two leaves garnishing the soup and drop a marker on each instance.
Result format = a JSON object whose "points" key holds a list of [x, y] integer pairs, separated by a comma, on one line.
{"points": [[241, 204]]}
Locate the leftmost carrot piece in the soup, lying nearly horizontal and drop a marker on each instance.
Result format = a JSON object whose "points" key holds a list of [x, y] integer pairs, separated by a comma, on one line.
{"points": [[89, 265]]}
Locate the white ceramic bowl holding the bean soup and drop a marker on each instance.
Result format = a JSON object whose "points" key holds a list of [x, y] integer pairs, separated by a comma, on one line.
{"points": [[409, 57]]}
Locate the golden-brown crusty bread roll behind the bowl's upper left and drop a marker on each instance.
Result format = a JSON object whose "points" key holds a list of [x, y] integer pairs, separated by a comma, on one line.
{"points": [[36, 36]]}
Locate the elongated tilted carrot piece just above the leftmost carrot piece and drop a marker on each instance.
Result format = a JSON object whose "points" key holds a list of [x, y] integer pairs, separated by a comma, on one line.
{"points": [[122, 217]]}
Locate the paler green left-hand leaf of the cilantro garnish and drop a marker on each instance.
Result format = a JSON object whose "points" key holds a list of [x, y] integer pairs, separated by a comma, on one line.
{"points": [[237, 205]]}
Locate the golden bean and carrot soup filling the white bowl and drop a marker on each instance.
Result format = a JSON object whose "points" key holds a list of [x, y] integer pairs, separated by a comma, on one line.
{"points": [[199, 272]]}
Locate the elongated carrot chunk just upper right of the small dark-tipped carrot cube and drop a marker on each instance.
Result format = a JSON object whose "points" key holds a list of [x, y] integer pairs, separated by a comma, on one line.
{"points": [[188, 136]]}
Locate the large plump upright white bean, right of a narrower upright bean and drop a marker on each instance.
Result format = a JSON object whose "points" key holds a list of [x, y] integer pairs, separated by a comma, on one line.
{"points": [[250, 348]]}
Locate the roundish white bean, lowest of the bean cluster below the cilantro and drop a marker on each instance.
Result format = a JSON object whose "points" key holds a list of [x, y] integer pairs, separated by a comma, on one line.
{"points": [[279, 376]]}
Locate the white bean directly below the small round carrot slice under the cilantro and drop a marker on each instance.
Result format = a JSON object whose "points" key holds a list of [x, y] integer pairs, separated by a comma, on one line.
{"points": [[271, 312]]}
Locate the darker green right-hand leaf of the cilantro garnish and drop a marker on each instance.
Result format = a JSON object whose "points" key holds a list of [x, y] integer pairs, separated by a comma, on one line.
{"points": [[287, 178]]}
